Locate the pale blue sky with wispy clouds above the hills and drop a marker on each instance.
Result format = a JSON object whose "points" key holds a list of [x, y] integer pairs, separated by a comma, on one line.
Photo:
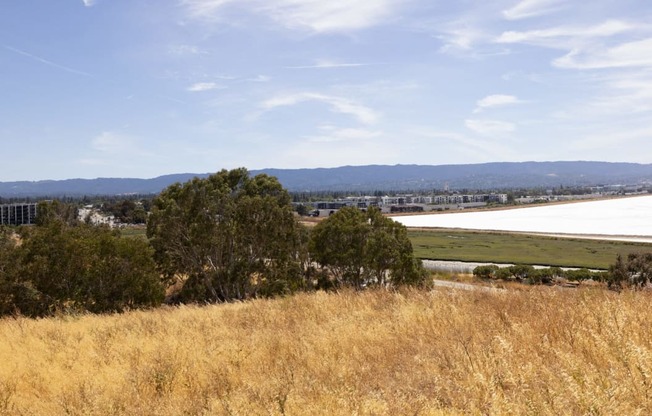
{"points": [[141, 88]]}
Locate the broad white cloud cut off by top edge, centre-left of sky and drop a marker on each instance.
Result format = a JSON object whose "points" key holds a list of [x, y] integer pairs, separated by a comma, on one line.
{"points": [[314, 15]]}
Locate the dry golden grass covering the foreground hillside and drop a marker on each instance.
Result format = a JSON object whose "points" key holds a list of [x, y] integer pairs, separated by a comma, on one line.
{"points": [[536, 350]]}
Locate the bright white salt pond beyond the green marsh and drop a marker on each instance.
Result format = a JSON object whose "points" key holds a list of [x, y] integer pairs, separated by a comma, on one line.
{"points": [[628, 219]]}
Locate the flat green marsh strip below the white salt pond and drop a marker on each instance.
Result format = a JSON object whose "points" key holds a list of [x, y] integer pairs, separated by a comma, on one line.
{"points": [[488, 247]]}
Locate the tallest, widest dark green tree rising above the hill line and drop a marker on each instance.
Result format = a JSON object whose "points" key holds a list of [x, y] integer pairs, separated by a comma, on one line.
{"points": [[230, 236]]}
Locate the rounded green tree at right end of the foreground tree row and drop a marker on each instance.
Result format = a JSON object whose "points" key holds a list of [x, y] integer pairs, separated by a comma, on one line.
{"points": [[359, 248]]}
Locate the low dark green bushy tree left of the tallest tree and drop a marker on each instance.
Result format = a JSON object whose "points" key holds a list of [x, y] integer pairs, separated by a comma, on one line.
{"points": [[84, 267]]}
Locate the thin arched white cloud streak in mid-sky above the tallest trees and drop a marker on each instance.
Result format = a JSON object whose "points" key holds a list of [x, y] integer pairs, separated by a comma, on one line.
{"points": [[362, 113]]}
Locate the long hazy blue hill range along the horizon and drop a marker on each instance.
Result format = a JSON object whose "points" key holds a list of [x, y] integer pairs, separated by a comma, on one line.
{"points": [[369, 178]]}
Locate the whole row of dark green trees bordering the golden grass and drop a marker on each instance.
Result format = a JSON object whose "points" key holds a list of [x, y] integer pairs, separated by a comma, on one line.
{"points": [[223, 238]]}
